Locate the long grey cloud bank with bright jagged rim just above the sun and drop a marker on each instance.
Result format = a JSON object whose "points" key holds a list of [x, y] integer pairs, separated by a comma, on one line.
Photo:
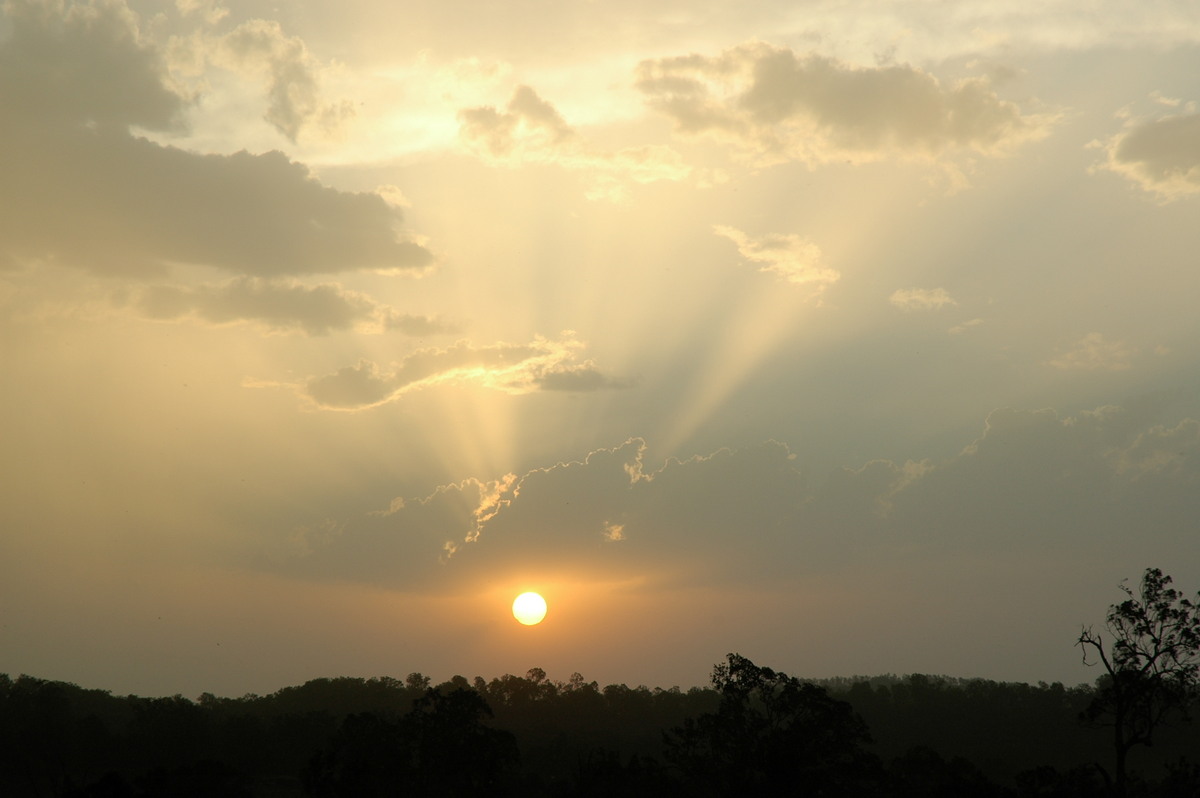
{"points": [[752, 514]]}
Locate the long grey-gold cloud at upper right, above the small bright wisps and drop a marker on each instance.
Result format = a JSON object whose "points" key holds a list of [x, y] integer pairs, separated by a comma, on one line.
{"points": [[776, 106]]}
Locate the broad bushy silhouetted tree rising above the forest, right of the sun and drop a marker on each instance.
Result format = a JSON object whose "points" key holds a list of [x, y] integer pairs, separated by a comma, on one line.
{"points": [[772, 735]]}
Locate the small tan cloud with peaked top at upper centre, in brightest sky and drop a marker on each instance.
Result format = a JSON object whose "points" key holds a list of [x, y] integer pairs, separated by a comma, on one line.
{"points": [[530, 130]]}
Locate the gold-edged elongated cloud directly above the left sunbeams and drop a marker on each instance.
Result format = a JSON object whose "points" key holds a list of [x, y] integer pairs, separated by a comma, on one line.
{"points": [[511, 368]]}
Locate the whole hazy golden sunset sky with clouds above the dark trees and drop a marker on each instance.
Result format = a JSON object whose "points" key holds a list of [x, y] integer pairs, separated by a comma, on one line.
{"points": [[856, 338]]}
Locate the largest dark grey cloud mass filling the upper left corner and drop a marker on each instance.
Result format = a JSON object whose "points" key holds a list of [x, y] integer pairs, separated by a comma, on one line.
{"points": [[86, 191]]}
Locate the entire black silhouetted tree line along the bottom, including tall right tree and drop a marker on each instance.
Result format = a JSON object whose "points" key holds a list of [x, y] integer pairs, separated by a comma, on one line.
{"points": [[752, 733]]}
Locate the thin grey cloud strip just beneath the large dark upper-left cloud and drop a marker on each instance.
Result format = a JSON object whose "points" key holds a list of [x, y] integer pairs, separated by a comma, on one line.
{"points": [[283, 307]]}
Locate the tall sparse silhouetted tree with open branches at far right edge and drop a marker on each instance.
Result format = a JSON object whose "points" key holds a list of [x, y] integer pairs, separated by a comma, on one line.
{"points": [[1151, 663]]}
